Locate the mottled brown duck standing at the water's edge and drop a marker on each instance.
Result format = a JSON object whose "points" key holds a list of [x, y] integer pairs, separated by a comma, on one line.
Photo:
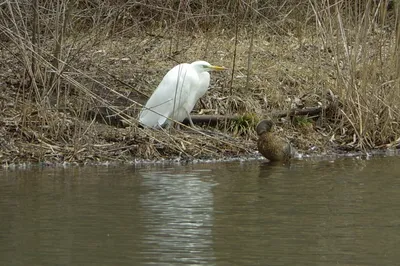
{"points": [[271, 146]]}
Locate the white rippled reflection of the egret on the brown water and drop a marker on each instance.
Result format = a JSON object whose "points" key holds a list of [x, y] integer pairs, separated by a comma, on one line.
{"points": [[177, 214]]}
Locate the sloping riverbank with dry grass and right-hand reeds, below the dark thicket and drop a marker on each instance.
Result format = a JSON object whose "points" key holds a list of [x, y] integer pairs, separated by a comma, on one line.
{"points": [[84, 108]]}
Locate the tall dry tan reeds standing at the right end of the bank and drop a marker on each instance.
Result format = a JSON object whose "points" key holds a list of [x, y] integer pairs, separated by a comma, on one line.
{"points": [[366, 55]]}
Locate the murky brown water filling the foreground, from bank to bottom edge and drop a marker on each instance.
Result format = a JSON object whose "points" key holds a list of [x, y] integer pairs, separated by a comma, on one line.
{"points": [[341, 212]]}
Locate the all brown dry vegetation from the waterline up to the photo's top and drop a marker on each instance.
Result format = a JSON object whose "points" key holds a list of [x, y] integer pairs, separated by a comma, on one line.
{"points": [[68, 67]]}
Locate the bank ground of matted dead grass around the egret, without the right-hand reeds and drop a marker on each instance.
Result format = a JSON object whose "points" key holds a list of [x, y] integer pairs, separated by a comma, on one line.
{"points": [[89, 115]]}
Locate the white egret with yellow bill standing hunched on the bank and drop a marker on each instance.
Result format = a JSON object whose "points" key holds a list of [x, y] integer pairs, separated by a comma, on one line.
{"points": [[177, 94]]}
